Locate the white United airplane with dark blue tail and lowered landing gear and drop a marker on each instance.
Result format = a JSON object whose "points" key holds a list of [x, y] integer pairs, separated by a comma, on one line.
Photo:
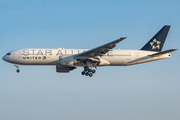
{"points": [[67, 60]]}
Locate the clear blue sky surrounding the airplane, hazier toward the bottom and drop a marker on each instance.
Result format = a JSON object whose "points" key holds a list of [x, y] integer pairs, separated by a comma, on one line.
{"points": [[146, 91]]}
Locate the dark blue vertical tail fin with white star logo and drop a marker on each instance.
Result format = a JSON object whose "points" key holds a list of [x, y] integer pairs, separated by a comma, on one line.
{"points": [[156, 43]]}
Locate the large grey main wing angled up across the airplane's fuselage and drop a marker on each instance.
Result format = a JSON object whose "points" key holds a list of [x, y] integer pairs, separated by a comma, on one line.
{"points": [[99, 51]]}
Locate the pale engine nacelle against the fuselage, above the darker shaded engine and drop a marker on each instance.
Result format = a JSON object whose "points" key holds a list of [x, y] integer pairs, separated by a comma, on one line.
{"points": [[67, 61]]}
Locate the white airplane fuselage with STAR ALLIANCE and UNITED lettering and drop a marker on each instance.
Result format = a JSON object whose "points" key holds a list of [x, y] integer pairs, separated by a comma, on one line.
{"points": [[52, 57]]}
